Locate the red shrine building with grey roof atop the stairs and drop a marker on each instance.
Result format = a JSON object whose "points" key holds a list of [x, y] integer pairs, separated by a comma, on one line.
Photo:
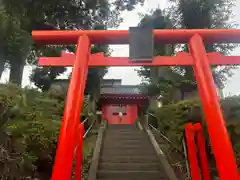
{"points": [[120, 104]]}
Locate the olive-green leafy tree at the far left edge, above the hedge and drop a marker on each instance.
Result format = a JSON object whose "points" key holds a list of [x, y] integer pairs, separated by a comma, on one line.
{"points": [[15, 44]]}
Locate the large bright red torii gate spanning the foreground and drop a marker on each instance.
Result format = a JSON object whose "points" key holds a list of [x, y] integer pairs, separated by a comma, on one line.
{"points": [[199, 59]]}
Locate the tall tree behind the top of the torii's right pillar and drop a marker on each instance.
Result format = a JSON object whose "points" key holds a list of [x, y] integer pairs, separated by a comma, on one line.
{"points": [[204, 14]]}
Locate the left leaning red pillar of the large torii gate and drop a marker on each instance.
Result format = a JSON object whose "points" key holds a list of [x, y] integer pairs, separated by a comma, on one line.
{"points": [[68, 134]]}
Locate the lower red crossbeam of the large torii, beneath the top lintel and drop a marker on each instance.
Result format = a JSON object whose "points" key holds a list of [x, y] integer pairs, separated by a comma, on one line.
{"points": [[97, 60]]}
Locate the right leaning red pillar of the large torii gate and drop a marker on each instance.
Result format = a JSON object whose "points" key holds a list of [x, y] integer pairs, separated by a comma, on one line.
{"points": [[220, 140]]}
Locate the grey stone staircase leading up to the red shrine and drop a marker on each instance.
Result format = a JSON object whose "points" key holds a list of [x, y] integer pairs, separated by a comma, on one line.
{"points": [[127, 154]]}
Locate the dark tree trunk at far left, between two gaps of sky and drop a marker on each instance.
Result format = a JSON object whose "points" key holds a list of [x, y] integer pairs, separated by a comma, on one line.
{"points": [[16, 72]]}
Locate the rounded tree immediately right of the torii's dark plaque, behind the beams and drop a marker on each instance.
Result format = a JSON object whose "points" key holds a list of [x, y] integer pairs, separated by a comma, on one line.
{"points": [[155, 82]]}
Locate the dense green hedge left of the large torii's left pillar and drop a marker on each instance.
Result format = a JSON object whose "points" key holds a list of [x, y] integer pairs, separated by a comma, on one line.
{"points": [[29, 127]]}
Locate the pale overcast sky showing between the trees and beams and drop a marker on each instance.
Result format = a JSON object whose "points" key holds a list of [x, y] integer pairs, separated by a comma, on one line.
{"points": [[128, 74]]}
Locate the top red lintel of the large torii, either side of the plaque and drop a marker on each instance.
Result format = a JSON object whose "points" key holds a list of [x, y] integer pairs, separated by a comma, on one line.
{"points": [[169, 36]]}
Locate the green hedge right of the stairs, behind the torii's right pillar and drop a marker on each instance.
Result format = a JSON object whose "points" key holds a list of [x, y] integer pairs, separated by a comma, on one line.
{"points": [[173, 117]]}
